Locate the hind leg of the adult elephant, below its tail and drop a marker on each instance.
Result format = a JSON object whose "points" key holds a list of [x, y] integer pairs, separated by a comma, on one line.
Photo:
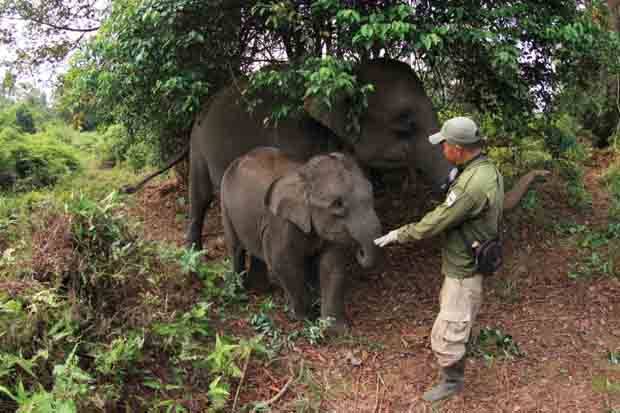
{"points": [[201, 195]]}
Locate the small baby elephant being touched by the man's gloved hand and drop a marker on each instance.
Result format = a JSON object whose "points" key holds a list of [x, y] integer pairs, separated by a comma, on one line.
{"points": [[299, 218]]}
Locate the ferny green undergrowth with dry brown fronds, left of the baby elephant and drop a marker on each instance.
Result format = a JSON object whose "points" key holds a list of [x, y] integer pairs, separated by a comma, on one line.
{"points": [[93, 306]]}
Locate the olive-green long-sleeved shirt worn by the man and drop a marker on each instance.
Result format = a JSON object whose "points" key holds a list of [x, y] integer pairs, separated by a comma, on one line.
{"points": [[475, 200]]}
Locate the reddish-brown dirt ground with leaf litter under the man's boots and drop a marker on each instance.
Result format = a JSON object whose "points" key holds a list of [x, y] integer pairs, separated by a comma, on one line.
{"points": [[565, 327]]}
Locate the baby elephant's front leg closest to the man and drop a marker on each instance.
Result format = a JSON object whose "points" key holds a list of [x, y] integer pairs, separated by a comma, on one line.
{"points": [[333, 282]]}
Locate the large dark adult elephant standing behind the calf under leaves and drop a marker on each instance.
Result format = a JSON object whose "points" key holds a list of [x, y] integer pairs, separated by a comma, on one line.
{"points": [[394, 134]]}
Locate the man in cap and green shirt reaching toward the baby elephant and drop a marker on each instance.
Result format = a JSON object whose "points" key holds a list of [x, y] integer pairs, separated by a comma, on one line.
{"points": [[469, 215]]}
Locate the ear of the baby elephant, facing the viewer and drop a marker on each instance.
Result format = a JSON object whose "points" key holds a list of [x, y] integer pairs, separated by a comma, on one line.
{"points": [[287, 198]]}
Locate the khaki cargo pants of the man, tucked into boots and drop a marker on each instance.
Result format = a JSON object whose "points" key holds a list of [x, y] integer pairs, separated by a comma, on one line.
{"points": [[459, 302]]}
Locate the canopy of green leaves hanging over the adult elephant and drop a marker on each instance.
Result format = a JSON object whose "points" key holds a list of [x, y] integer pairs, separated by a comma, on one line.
{"points": [[155, 62]]}
